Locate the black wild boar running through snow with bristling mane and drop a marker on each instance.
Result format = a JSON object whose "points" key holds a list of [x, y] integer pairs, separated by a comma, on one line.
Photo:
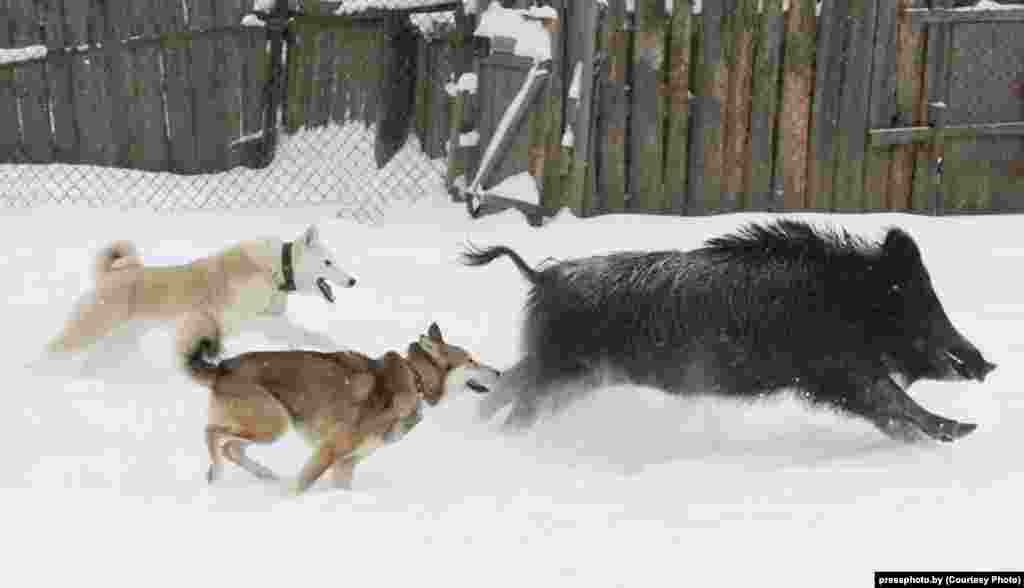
{"points": [[846, 322]]}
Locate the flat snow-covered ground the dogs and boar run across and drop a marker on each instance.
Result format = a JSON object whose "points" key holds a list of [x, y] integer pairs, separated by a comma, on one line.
{"points": [[104, 479]]}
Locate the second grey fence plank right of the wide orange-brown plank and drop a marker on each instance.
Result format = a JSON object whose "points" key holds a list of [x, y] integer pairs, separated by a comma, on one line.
{"points": [[851, 139]]}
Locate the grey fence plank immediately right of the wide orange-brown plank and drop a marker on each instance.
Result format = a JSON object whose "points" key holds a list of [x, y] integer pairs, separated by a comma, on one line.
{"points": [[825, 118]]}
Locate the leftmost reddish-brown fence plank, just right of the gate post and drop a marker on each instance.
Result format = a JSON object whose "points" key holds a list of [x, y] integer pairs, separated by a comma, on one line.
{"points": [[614, 111]]}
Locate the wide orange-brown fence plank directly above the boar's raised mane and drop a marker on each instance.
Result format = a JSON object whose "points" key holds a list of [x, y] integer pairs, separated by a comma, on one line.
{"points": [[798, 90]]}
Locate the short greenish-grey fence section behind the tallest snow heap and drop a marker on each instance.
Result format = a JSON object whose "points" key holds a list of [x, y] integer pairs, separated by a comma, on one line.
{"points": [[370, 67]]}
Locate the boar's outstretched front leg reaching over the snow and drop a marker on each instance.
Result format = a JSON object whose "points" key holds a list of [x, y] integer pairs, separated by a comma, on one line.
{"points": [[886, 405]]}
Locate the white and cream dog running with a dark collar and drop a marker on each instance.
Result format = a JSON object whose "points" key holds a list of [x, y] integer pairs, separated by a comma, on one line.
{"points": [[245, 287]]}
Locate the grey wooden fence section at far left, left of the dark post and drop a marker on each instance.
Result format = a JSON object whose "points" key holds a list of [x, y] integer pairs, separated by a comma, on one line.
{"points": [[147, 86]]}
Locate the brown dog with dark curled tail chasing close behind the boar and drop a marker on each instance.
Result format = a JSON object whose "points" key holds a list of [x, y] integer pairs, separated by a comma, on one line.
{"points": [[346, 404]]}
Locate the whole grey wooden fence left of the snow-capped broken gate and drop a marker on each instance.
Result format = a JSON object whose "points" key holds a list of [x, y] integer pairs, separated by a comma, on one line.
{"points": [[182, 87]]}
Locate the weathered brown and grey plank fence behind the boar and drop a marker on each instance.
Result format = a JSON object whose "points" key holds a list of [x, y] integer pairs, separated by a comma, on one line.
{"points": [[749, 106]]}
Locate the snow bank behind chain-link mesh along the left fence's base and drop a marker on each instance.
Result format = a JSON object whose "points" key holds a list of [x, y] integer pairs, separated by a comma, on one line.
{"points": [[347, 176]]}
